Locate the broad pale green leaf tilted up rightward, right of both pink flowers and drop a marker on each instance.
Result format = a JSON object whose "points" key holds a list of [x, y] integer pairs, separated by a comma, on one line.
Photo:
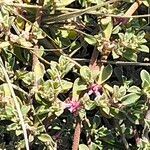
{"points": [[130, 98]]}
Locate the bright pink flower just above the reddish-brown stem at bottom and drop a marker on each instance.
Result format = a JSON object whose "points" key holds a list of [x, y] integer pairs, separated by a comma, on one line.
{"points": [[73, 106]]}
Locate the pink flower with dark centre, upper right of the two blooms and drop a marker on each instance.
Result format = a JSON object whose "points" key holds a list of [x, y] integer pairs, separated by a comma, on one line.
{"points": [[95, 89]]}
